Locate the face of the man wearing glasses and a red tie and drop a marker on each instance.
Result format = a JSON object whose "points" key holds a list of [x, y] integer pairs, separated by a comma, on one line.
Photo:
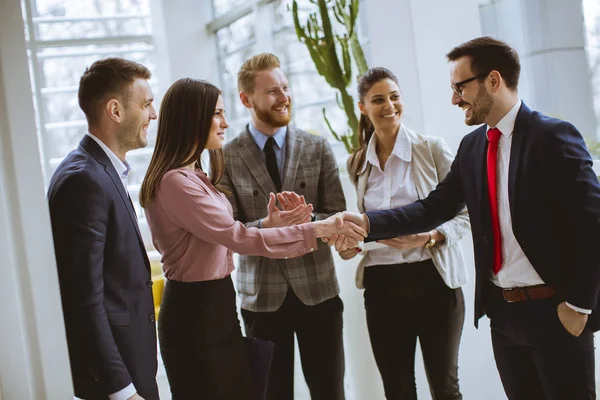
{"points": [[476, 101]]}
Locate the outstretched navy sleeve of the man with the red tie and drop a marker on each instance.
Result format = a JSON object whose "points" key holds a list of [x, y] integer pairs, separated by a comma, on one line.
{"points": [[442, 204]]}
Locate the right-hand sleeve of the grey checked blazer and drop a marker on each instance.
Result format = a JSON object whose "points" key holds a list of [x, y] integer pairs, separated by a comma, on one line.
{"points": [[330, 194]]}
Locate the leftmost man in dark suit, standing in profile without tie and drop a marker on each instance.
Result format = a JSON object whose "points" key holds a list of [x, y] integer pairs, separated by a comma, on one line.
{"points": [[103, 268]]}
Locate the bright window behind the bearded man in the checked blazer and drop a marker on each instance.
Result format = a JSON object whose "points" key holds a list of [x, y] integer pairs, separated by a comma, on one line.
{"points": [[243, 30]]}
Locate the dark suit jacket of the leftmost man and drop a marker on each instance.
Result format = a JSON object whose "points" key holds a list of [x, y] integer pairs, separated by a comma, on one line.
{"points": [[104, 276]]}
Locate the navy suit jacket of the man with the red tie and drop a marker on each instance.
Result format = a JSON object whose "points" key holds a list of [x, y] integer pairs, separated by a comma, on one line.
{"points": [[554, 199]]}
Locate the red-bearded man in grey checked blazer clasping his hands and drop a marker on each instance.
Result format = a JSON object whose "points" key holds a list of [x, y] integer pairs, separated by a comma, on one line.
{"points": [[283, 297]]}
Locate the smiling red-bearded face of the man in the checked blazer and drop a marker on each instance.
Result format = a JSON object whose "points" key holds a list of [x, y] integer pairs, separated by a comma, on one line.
{"points": [[271, 101]]}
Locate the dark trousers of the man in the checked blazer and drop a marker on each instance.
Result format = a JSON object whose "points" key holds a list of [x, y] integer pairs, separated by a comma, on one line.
{"points": [[319, 332]]}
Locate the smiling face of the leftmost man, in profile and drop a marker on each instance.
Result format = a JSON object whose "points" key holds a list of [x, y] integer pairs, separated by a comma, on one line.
{"points": [[138, 112]]}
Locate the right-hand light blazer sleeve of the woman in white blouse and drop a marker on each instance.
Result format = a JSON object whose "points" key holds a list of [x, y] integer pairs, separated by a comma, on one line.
{"points": [[459, 226]]}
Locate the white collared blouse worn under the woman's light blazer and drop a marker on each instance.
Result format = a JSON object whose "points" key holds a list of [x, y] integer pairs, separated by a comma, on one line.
{"points": [[390, 188]]}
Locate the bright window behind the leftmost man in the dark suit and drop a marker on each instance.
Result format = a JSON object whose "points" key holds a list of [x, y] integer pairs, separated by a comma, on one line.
{"points": [[66, 36]]}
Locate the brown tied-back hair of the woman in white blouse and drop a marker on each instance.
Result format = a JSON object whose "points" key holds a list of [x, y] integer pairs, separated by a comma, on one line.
{"points": [[365, 126]]}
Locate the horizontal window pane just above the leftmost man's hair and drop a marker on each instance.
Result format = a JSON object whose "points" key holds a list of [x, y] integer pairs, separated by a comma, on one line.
{"points": [[63, 66]]}
